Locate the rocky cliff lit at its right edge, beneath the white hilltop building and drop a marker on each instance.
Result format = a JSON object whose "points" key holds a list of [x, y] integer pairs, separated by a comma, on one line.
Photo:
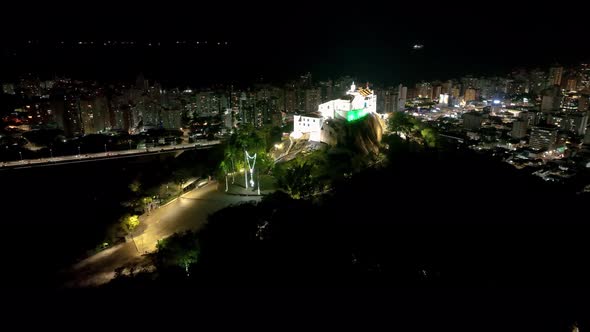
{"points": [[363, 135]]}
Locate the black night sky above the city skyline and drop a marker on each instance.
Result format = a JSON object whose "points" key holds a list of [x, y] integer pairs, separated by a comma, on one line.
{"points": [[280, 41]]}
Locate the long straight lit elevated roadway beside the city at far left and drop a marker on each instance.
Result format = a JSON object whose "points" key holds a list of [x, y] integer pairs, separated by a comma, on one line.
{"points": [[86, 157]]}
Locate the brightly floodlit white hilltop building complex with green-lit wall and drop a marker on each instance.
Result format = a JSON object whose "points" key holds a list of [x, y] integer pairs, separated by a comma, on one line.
{"points": [[356, 104]]}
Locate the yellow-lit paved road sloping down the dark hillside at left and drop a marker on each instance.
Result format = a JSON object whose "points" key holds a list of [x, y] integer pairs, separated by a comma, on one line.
{"points": [[190, 211]]}
